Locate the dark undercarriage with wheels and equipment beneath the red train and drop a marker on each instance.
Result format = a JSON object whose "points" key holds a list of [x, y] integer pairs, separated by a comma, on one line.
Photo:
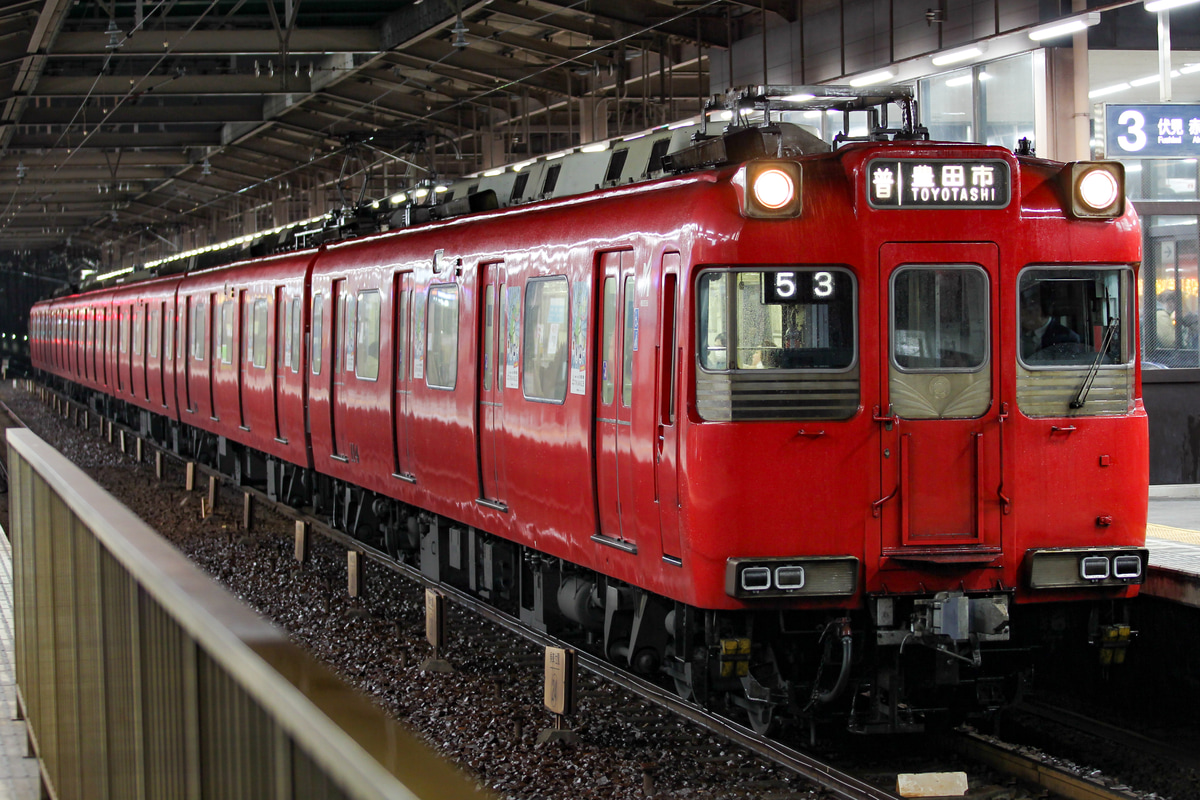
{"points": [[902, 665]]}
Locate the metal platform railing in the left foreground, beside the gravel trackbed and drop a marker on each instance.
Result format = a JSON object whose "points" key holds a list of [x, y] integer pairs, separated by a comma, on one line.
{"points": [[141, 678]]}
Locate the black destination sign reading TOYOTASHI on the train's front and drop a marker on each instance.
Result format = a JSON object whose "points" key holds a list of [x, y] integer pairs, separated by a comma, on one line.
{"points": [[939, 184]]}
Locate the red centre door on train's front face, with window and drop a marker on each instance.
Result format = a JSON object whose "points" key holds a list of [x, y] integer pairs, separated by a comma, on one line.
{"points": [[941, 419]]}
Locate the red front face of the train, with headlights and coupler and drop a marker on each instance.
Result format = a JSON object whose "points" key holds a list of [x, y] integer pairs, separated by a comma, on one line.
{"points": [[919, 458]]}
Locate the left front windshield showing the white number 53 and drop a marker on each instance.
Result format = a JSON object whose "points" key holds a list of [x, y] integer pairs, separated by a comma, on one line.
{"points": [[787, 318]]}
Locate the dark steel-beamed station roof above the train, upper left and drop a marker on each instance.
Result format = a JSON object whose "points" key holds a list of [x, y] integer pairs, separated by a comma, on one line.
{"points": [[133, 121]]}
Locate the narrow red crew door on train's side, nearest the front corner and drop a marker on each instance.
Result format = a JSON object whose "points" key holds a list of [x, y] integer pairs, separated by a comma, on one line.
{"points": [[667, 454]]}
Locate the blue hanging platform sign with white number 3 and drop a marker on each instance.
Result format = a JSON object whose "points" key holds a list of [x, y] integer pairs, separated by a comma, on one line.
{"points": [[1153, 131]]}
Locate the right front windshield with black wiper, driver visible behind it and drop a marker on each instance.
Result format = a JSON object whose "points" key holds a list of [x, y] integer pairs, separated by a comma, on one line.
{"points": [[1076, 317]]}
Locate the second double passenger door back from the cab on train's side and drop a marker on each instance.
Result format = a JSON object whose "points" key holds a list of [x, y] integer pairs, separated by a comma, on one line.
{"points": [[493, 369]]}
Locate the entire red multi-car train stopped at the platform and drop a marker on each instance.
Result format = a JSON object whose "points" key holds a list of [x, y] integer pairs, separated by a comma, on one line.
{"points": [[849, 434]]}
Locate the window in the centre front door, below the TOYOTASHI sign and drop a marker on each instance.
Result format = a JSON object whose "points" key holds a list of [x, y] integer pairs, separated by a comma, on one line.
{"points": [[940, 320]]}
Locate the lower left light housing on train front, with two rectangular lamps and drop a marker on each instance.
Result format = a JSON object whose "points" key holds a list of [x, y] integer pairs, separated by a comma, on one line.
{"points": [[791, 578]]}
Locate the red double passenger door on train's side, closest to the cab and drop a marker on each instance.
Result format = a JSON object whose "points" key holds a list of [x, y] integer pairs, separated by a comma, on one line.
{"points": [[614, 402]]}
